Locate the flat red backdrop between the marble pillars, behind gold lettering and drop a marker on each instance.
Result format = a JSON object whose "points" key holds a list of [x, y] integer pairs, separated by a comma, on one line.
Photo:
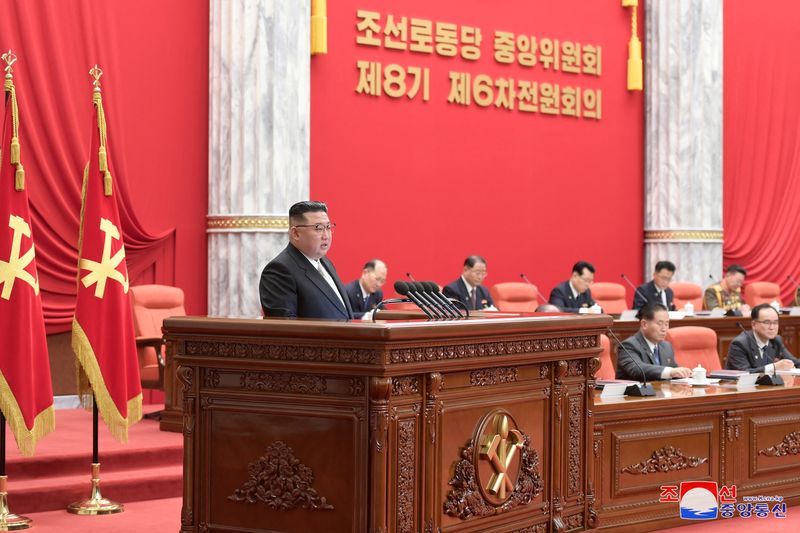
{"points": [[424, 184]]}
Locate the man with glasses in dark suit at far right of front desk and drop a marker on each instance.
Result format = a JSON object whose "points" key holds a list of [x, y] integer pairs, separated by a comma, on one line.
{"points": [[762, 349]]}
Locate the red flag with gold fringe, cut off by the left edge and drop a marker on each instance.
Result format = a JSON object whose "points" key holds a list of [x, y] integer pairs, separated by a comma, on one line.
{"points": [[26, 394]]}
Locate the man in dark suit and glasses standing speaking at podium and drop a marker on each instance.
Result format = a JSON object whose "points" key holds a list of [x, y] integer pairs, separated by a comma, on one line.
{"points": [[300, 282]]}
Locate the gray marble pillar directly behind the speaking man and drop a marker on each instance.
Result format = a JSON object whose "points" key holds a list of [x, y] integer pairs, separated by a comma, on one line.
{"points": [[259, 105]]}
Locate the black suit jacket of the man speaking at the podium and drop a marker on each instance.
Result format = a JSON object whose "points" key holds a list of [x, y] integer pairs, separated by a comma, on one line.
{"points": [[290, 286]]}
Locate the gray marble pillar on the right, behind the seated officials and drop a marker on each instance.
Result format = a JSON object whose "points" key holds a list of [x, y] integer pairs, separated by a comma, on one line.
{"points": [[683, 137]]}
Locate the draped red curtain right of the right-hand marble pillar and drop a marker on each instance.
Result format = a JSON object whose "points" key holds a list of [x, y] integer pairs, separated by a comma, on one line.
{"points": [[761, 144]]}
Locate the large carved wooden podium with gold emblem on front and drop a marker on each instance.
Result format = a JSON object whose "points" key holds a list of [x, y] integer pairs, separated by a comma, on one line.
{"points": [[412, 426]]}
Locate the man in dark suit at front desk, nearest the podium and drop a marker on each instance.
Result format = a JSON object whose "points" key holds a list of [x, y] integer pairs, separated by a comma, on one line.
{"points": [[654, 355]]}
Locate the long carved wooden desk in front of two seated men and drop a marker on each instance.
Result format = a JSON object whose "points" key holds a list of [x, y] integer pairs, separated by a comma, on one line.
{"points": [[750, 438]]}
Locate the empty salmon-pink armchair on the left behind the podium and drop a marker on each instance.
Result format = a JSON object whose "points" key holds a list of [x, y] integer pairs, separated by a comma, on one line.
{"points": [[151, 304]]}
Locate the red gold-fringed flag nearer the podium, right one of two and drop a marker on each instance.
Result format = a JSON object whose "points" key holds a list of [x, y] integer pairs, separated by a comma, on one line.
{"points": [[102, 331]]}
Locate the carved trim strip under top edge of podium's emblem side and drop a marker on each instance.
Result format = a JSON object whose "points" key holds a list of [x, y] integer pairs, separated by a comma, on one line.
{"points": [[490, 349]]}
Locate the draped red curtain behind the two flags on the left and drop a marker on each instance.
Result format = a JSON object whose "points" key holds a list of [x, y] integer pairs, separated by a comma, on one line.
{"points": [[155, 58]]}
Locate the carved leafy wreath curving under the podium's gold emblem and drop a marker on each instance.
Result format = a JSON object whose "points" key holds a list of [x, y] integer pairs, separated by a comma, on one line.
{"points": [[465, 499]]}
